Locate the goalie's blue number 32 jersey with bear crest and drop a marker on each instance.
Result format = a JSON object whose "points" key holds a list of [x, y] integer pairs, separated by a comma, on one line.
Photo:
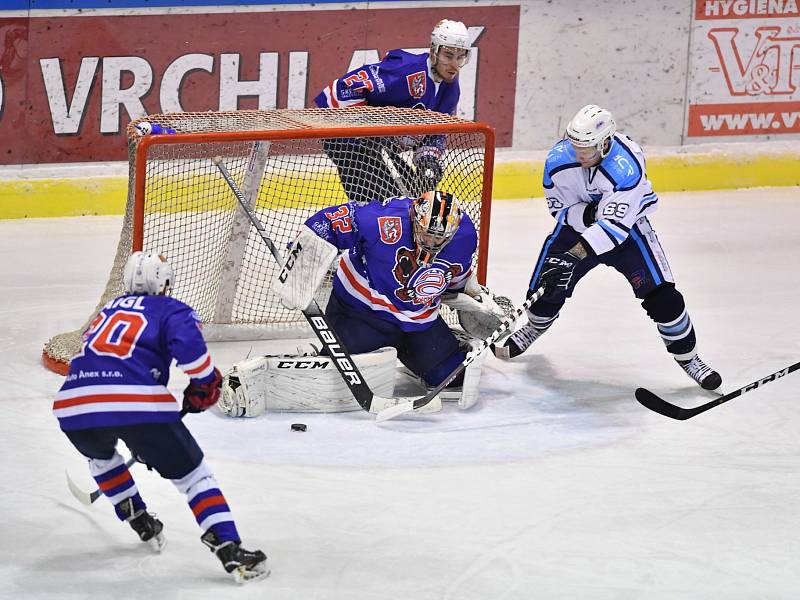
{"points": [[379, 270]]}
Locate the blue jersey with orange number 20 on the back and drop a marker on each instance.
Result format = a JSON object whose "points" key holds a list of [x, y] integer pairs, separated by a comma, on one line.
{"points": [[120, 375]]}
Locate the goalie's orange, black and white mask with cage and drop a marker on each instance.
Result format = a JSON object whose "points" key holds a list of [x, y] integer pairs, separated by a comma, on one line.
{"points": [[435, 217]]}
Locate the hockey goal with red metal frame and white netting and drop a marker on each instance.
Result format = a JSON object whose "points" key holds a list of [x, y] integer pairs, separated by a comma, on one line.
{"points": [[287, 163]]}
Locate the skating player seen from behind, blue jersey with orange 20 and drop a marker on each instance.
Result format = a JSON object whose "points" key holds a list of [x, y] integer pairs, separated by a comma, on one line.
{"points": [[116, 390]]}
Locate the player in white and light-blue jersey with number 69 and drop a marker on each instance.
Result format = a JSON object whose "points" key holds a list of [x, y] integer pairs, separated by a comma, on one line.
{"points": [[599, 194]]}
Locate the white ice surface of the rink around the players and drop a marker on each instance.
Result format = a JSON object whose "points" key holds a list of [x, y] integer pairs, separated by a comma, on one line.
{"points": [[557, 485]]}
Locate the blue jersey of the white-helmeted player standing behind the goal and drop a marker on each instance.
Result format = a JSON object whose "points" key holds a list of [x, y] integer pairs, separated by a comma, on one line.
{"points": [[401, 79]]}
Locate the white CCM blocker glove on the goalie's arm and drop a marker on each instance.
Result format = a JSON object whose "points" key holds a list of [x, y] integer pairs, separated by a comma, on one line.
{"points": [[306, 266]]}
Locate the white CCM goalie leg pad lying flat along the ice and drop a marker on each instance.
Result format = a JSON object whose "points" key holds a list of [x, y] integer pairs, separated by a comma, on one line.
{"points": [[291, 383]]}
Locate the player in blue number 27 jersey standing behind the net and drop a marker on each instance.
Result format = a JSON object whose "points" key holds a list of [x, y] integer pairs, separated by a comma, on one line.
{"points": [[426, 81]]}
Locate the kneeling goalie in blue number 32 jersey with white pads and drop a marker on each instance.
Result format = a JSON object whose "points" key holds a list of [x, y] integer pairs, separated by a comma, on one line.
{"points": [[400, 259]]}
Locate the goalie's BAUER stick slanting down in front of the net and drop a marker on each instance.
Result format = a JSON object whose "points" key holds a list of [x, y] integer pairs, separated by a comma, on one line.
{"points": [[341, 358]]}
